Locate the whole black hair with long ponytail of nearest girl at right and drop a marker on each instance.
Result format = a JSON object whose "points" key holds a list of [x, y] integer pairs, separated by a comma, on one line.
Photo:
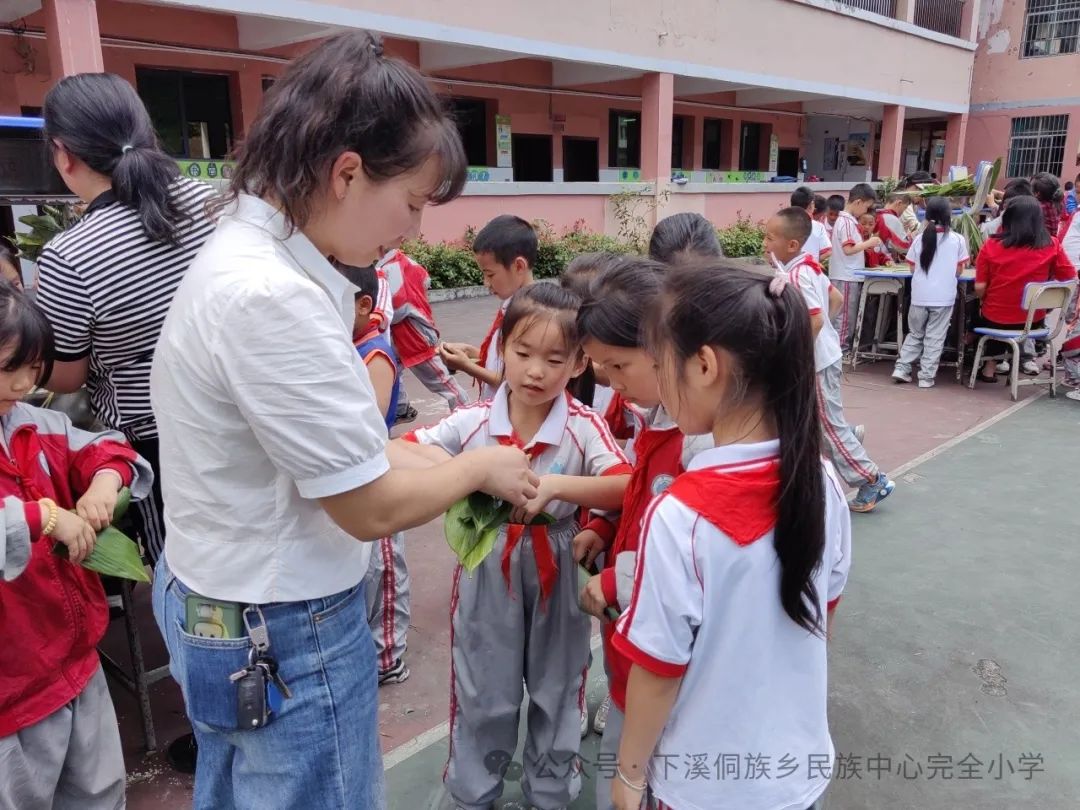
{"points": [[730, 307]]}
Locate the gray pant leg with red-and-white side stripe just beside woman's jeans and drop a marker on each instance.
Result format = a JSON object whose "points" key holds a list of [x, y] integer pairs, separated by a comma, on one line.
{"points": [[388, 600]]}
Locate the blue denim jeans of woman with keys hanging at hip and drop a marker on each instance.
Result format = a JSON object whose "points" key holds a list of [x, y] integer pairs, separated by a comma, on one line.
{"points": [[321, 751]]}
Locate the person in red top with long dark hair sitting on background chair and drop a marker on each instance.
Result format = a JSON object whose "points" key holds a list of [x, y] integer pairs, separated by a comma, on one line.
{"points": [[1022, 254]]}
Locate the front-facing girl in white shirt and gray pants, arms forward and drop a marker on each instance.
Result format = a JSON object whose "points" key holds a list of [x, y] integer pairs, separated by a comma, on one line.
{"points": [[516, 618]]}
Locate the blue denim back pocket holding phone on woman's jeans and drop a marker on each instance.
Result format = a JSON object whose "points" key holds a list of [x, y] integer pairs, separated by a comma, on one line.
{"points": [[209, 694]]}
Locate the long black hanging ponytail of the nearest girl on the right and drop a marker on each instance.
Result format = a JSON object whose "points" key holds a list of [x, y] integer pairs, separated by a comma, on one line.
{"points": [[792, 391]]}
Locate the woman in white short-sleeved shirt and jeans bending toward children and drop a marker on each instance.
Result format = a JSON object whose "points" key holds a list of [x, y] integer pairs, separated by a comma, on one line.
{"points": [[274, 453]]}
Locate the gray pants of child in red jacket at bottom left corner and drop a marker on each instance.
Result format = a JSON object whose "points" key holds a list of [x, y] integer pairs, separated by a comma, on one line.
{"points": [[71, 761]]}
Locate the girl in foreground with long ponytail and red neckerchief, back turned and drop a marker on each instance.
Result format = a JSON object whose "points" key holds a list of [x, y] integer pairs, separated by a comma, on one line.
{"points": [[744, 559]]}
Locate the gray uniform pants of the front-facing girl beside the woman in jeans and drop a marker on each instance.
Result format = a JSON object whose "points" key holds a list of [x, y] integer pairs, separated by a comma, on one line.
{"points": [[501, 639]]}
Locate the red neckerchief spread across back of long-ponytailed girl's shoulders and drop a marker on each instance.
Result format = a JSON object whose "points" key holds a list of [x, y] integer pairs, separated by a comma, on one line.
{"points": [[738, 501]]}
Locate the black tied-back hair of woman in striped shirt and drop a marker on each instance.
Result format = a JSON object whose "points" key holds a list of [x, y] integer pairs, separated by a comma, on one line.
{"points": [[101, 120]]}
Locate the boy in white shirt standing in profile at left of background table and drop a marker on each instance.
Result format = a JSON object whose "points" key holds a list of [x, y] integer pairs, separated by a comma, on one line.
{"points": [[848, 256]]}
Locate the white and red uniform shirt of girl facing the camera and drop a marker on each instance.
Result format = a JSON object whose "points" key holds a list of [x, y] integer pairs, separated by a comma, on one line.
{"points": [[573, 440]]}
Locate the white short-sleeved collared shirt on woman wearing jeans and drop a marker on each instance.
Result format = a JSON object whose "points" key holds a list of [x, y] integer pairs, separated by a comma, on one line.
{"points": [[263, 407]]}
